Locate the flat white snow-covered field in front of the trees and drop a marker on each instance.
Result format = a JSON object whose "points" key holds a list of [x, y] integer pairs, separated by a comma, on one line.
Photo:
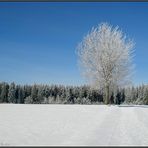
{"points": [[73, 125]]}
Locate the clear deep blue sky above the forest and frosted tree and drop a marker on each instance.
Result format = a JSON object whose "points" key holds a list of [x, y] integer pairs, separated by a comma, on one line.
{"points": [[38, 40]]}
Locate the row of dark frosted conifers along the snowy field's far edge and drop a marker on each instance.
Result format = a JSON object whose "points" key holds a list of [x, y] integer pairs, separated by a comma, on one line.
{"points": [[59, 94]]}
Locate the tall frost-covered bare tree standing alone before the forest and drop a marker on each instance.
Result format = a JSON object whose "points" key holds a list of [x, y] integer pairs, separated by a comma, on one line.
{"points": [[105, 56]]}
